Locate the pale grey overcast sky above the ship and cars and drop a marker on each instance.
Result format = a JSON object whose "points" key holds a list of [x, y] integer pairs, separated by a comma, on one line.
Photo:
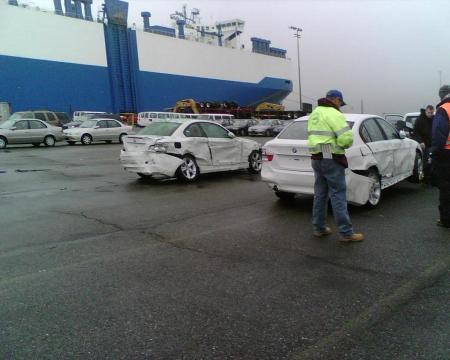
{"points": [[387, 53]]}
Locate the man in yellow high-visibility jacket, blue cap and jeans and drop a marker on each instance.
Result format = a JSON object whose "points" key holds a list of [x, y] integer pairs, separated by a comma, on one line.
{"points": [[328, 137]]}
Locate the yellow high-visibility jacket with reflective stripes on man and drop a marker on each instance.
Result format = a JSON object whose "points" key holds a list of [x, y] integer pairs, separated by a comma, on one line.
{"points": [[328, 129]]}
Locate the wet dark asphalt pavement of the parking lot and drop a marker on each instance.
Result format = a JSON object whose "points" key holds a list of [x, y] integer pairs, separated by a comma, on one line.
{"points": [[96, 263]]}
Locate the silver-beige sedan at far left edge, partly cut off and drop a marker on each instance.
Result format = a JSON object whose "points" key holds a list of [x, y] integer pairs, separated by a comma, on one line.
{"points": [[29, 131]]}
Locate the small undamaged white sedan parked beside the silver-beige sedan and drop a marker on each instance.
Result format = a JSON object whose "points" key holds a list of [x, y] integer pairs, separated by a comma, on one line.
{"points": [[97, 130]]}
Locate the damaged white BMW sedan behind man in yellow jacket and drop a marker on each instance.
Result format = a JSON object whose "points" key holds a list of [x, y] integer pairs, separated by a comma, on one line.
{"points": [[379, 157]]}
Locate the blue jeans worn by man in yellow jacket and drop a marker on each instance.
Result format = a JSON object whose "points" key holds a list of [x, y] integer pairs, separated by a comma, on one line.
{"points": [[330, 184]]}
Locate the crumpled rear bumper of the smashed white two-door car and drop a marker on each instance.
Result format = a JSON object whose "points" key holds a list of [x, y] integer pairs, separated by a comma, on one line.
{"points": [[152, 164]]}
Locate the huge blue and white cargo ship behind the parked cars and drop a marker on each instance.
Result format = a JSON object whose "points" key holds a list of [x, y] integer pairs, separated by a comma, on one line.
{"points": [[65, 60]]}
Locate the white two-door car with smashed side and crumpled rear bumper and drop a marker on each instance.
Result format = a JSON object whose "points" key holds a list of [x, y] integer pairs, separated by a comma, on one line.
{"points": [[186, 148]]}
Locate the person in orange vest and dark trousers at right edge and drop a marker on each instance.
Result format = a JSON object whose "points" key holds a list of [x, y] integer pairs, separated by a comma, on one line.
{"points": [[440, 150]]}
